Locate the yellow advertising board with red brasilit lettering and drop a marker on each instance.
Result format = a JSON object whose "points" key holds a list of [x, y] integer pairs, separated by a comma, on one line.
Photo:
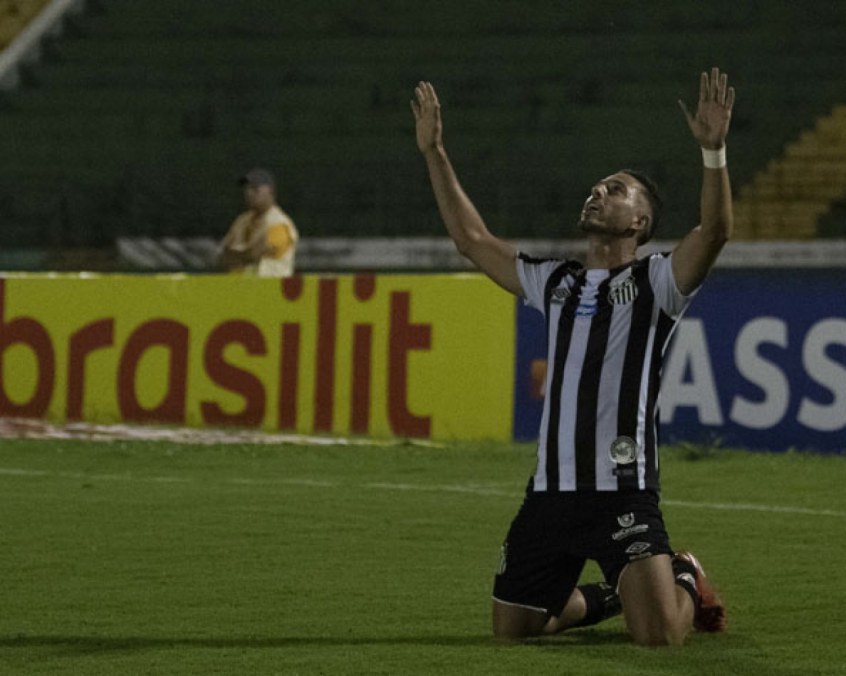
{"points": [[427, 356]]}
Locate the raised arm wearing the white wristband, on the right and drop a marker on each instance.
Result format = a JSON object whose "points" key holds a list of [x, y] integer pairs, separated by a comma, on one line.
{"points": [[696, 253]]}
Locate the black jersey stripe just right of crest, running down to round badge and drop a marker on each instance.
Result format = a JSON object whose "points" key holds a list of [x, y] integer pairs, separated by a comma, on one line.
{"points": [[630, 382]]}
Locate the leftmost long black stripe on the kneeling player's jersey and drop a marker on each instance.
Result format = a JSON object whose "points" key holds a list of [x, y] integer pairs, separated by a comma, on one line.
{"points": [[562, 347]]}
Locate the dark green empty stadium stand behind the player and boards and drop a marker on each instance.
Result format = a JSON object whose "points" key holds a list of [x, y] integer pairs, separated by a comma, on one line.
{"points": [[138, 119]]}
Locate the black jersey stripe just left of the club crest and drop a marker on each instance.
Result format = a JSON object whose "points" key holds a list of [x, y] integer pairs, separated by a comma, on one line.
{"points": [[587, 405]]}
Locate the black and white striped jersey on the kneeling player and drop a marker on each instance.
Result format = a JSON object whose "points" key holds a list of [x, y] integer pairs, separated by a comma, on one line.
{"points": [[607, 333]]}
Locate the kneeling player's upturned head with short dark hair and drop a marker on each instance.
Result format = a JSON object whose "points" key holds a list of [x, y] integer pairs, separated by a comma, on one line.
{"points": [[616, 206]]}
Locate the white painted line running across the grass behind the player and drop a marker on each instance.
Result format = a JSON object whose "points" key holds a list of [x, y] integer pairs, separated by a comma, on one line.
{"points": [[466, 489]]}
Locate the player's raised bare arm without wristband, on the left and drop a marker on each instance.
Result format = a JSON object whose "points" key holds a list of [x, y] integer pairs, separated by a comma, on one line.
{"points": [[491, 255]]}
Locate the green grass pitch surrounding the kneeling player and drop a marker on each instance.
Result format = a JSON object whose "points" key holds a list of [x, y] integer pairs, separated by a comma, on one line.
{"points": [[144, 557]]}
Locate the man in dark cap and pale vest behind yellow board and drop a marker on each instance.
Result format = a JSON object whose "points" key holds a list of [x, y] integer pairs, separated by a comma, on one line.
{"points": [[261, 241]]}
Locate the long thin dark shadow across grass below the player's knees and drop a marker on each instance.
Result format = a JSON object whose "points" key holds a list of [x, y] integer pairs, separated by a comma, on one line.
{"points": [[104, 644]]}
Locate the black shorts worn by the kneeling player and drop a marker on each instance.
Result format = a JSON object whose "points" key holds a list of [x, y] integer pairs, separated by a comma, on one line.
{"points": [[554, 534]]}
